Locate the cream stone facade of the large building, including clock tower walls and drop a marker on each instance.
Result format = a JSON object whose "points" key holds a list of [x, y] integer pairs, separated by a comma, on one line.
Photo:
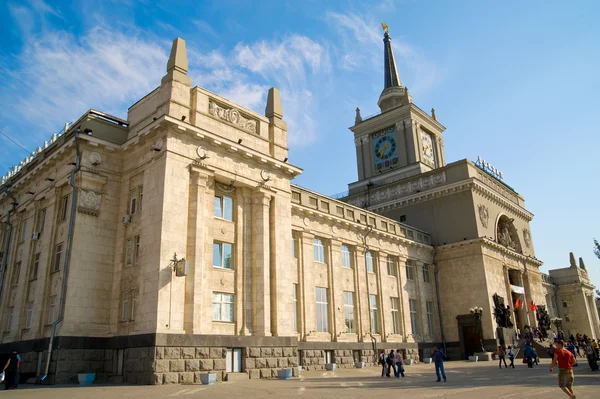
{"points": [[174, 243]]}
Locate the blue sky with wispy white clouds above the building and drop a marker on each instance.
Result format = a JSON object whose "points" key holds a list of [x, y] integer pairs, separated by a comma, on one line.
{"points": [[514, 83]]}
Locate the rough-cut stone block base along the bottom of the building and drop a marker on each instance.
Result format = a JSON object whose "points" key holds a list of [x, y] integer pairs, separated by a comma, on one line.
{"points": [[155, 359]]}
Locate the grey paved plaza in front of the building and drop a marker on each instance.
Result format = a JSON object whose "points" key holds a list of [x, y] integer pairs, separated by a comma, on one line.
{"points": [[465, 380]]}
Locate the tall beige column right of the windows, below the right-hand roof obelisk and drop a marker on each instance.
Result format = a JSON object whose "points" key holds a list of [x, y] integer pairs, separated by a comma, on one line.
{"points": [[261, 287]]}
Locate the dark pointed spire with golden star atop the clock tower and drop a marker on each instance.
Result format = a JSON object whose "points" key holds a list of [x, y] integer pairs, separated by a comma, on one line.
{"points": [[393, 94]]}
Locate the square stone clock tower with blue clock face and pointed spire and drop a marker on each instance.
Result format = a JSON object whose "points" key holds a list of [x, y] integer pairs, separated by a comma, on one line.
{"points": [[402, 140]]}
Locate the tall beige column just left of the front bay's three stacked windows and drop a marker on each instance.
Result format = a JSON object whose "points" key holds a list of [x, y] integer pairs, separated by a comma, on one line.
{"points": [[192, 318]]}
